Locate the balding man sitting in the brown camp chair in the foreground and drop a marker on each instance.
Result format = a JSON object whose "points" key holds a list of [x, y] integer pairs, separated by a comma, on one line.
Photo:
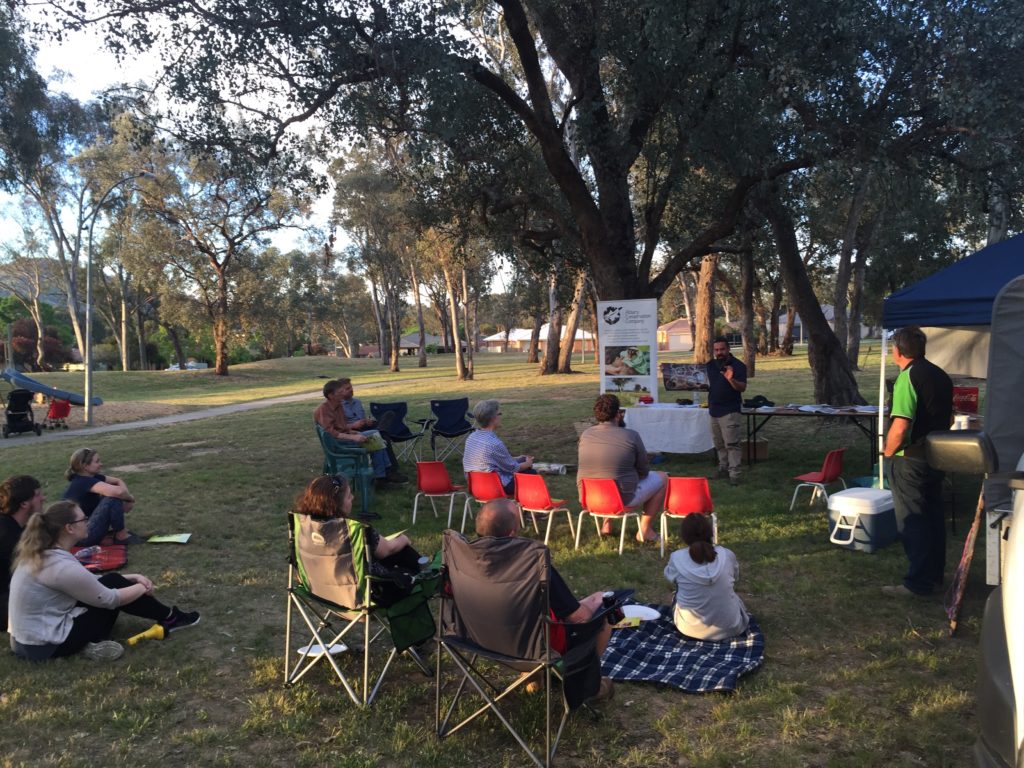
{"points": [[500, 519]]}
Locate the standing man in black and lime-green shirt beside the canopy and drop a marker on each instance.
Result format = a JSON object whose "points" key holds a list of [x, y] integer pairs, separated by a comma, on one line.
{"points": [[923, 403]]}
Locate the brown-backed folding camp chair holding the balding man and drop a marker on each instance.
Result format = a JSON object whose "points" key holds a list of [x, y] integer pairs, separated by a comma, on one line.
{"points": [[495, 628]]}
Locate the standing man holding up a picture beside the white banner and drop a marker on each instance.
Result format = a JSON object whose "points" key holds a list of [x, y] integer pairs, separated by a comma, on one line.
{"points": [[727, 381]]}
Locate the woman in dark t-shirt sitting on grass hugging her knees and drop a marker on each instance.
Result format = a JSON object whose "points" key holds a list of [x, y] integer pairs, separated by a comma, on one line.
{"points": [[105, 499]]}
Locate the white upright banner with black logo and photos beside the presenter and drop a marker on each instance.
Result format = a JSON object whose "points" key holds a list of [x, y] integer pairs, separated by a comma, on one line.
{"points": [[628, 332]]}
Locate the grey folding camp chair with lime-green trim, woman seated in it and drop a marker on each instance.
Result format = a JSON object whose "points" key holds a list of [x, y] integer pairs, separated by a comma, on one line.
{"points": [[333, 557]]}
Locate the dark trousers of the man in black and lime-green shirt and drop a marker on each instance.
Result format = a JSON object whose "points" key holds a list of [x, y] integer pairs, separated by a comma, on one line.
{"points": [[920, 517]]}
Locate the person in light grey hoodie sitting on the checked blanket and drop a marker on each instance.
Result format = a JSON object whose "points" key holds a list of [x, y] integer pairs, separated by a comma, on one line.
{"points": [[707, 606]]}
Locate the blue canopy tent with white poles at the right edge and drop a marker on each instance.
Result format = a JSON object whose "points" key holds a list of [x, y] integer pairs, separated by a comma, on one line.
{"points": [[973, 315]]}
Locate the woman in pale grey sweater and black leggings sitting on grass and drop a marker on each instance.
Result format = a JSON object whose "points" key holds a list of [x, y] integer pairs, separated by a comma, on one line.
{"points": [[59, 609]]}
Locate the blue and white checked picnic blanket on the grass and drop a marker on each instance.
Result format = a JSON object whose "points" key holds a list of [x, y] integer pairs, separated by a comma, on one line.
{"points": [[657, 653]]}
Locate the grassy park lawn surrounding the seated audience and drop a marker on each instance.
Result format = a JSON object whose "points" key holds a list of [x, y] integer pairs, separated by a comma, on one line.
{"points": [[850, 678]]}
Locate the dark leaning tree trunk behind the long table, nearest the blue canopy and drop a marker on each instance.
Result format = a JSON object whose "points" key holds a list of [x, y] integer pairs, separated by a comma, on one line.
{"points": [[834, 381]]}
